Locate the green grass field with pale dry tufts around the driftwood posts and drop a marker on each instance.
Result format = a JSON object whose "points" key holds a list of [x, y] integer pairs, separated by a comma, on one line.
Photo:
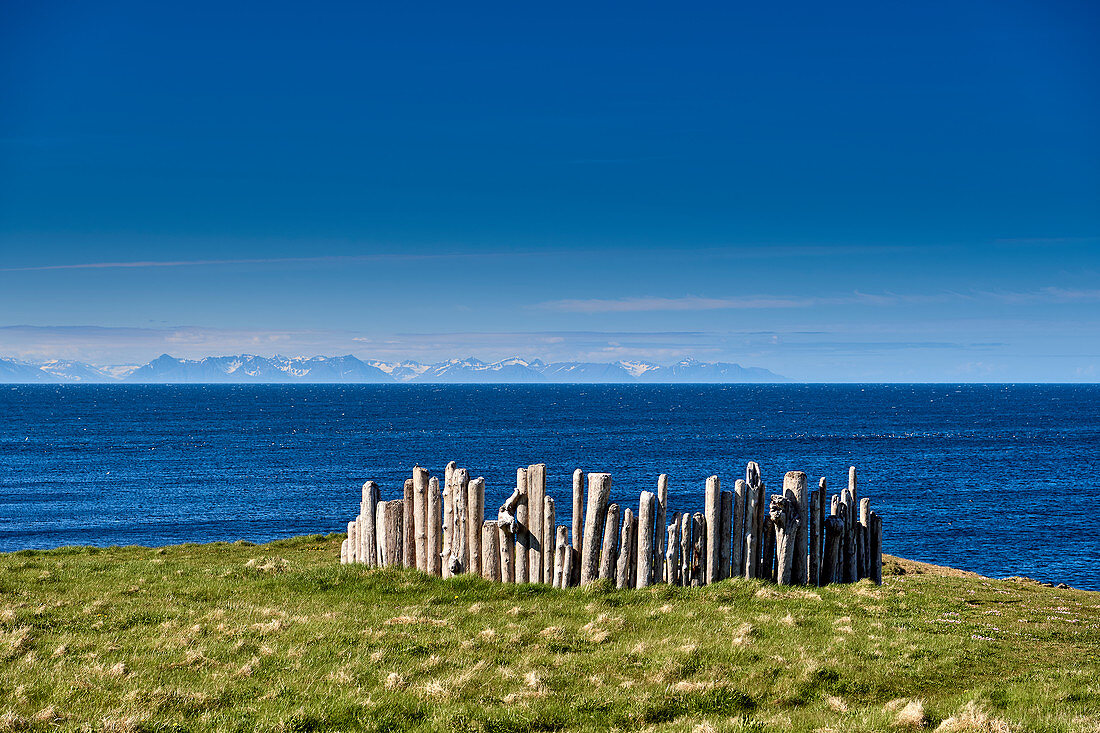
{"points": [[280, 637]]}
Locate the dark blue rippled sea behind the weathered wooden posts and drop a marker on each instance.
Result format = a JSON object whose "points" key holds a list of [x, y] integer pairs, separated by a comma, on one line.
{"points": [[998, 479]]}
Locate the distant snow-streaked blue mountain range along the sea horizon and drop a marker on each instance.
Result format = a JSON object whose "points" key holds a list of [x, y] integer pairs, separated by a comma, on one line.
{"points": [[248, 368]]}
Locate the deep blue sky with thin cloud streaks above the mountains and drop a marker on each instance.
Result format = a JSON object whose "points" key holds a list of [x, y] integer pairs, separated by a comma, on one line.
{"points": [[837, 192]]}
